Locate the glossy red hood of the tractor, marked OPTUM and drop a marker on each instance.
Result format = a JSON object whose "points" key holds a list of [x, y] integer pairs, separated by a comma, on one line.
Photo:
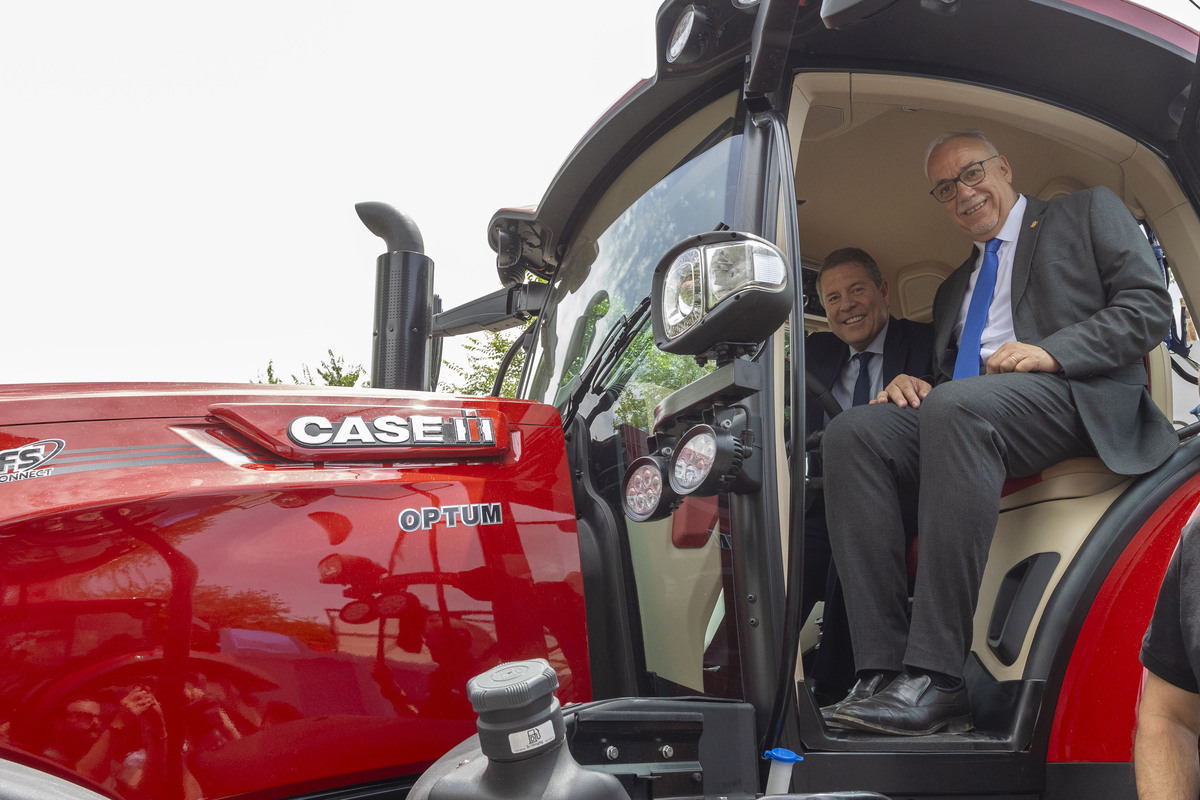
{"points": [[173, 618]]}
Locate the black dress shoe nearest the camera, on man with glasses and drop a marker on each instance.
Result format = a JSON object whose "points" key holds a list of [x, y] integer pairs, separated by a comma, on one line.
{"points": [[911, 706]]}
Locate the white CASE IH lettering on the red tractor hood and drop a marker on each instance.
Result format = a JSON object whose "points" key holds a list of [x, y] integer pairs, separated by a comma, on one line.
{"points": [[389, 431]]}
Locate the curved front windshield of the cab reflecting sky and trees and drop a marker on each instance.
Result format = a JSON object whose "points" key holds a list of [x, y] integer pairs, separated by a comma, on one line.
{"points": [[682, 187]]}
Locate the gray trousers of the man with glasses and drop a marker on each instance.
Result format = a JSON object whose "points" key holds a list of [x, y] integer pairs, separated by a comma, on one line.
{"points": [[955, 453]]}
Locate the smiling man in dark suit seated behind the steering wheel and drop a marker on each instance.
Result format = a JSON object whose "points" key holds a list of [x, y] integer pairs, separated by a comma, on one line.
{"points": [[855, 297]]}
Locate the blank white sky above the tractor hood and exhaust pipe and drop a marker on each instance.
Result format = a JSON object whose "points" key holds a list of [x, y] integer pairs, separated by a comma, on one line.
{"points": [[178, 181]]}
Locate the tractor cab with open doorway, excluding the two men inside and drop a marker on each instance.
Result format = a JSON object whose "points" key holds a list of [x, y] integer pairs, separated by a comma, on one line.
{"points": [[679, 245]]}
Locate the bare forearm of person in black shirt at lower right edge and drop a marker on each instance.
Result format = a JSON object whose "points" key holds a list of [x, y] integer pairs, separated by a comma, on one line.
{"points": [[1165, 756]]}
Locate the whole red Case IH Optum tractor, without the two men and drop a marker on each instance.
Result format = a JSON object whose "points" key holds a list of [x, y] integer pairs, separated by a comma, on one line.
{"points": [[260, 592]]}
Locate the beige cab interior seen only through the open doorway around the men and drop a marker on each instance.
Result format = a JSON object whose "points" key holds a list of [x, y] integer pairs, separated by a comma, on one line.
{"points": [[860, 142]]}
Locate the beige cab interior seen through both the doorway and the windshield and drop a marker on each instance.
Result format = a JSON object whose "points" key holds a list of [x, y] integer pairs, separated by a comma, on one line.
{"points": [[859, 142]]}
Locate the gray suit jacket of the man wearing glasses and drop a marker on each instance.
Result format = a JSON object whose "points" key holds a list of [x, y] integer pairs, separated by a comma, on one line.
{"points": [[1088, 290]]}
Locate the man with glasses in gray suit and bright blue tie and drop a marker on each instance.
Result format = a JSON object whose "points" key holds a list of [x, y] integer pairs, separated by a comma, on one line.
{"points": [[1039, 345]]}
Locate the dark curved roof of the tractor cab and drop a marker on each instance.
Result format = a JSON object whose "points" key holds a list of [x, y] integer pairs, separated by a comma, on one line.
{"points": [[1112, 61]]}
